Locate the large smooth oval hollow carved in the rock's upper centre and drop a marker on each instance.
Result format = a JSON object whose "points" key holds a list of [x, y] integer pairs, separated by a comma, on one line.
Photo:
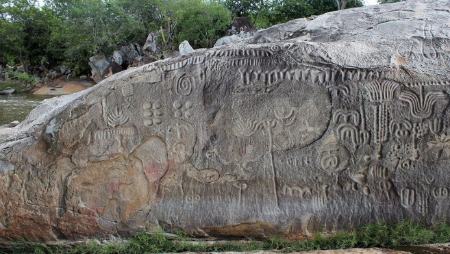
{"points": [[295, 115]]}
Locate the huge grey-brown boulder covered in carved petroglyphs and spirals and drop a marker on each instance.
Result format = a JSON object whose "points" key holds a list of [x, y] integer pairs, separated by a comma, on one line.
{"points": [[315, 124]]}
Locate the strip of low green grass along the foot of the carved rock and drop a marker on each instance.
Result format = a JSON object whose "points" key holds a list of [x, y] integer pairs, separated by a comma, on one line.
{"points": [[374, 235]]}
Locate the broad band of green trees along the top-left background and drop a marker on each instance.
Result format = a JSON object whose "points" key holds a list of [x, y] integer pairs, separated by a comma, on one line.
{"points": [[70, 31]]}
